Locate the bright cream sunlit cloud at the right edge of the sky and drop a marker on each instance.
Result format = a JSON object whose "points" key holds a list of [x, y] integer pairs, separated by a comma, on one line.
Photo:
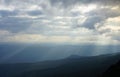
{"points": [[110, 28]]}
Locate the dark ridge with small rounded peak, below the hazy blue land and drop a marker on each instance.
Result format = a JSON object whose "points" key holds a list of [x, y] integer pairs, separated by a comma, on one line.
{"points": [[73, 66]]}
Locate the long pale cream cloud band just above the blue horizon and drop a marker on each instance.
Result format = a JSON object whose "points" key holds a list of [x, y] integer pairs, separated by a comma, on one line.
{"points": [[38, 38]]}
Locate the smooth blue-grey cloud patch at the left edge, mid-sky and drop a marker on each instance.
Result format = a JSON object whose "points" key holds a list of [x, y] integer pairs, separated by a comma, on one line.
{"points": [[14, 24]]}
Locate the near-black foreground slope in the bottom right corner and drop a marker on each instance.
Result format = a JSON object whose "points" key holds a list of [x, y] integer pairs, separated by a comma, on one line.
{"points": [[113, 71]]}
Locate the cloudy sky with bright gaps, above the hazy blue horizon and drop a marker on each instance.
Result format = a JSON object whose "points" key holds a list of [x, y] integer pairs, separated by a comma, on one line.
{"points": [[60, 21]]}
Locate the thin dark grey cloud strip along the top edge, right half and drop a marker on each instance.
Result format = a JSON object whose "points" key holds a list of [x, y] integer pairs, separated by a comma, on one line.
{"points": [[67, 3]]}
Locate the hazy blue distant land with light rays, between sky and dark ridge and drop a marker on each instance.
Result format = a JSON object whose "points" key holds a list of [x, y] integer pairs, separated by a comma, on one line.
{"points": [[29, 53]]}
